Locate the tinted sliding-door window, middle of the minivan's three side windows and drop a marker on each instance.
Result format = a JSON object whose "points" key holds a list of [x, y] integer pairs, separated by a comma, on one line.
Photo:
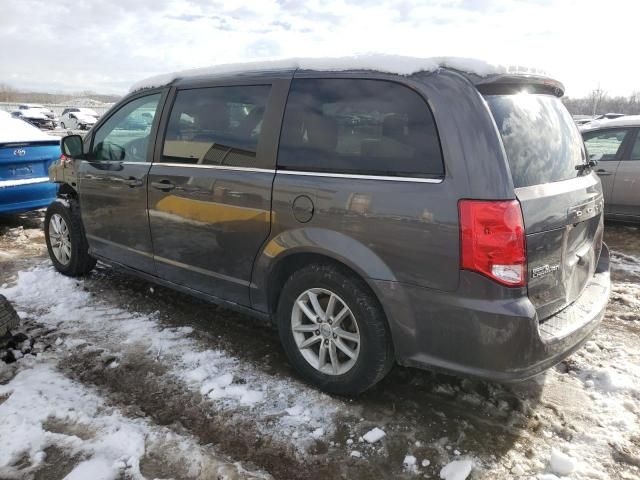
{"points": [[216, 126]]}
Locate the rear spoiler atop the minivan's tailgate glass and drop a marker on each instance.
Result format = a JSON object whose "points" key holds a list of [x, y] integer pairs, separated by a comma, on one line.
{"points": [[516, 83]]}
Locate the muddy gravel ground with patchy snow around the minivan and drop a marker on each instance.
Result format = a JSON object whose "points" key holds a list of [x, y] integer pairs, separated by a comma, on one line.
{"points": [[115, 375]]}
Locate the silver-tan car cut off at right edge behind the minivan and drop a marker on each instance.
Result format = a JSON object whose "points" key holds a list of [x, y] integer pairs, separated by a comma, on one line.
{"points": [[615, 145]]}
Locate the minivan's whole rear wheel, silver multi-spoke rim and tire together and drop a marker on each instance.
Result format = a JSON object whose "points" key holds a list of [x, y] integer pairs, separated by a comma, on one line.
{"points": [[333, 330]]}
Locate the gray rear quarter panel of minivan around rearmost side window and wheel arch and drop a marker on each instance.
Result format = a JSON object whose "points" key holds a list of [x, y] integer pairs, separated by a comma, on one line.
{"points": [[408, 233]]}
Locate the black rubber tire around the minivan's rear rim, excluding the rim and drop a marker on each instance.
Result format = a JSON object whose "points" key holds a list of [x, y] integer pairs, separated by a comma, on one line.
{"points": [[376, 356]]}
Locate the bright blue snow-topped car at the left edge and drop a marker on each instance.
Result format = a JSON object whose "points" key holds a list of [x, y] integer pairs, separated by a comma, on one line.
{"points": [[25, 156]]}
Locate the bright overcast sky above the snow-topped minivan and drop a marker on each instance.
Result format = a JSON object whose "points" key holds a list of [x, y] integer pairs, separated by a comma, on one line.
{"points": [[106, 45]]}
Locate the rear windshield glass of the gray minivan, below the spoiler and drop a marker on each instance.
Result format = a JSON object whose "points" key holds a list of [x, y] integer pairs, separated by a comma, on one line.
{"points": [[542, 143]]}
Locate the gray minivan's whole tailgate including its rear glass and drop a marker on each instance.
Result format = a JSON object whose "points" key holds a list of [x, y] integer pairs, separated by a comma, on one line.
{"points": [[561, 198]]}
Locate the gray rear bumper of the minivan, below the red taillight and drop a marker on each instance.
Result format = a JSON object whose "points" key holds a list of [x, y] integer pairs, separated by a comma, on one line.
{"points": [[499, 340]]}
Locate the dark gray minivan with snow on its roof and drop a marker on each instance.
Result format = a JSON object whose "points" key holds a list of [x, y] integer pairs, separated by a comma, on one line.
{"points": [[438, 220]]}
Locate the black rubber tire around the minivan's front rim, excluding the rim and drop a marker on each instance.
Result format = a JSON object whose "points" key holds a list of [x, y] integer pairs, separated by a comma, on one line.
{"points": [[80, 262]]}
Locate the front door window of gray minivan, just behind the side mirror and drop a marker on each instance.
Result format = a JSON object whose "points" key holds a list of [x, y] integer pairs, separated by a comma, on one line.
{"points": [[125, 136]]}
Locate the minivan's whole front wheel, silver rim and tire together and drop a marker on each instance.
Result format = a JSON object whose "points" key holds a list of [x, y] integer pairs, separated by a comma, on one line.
{"points": [[66, 242]]}
